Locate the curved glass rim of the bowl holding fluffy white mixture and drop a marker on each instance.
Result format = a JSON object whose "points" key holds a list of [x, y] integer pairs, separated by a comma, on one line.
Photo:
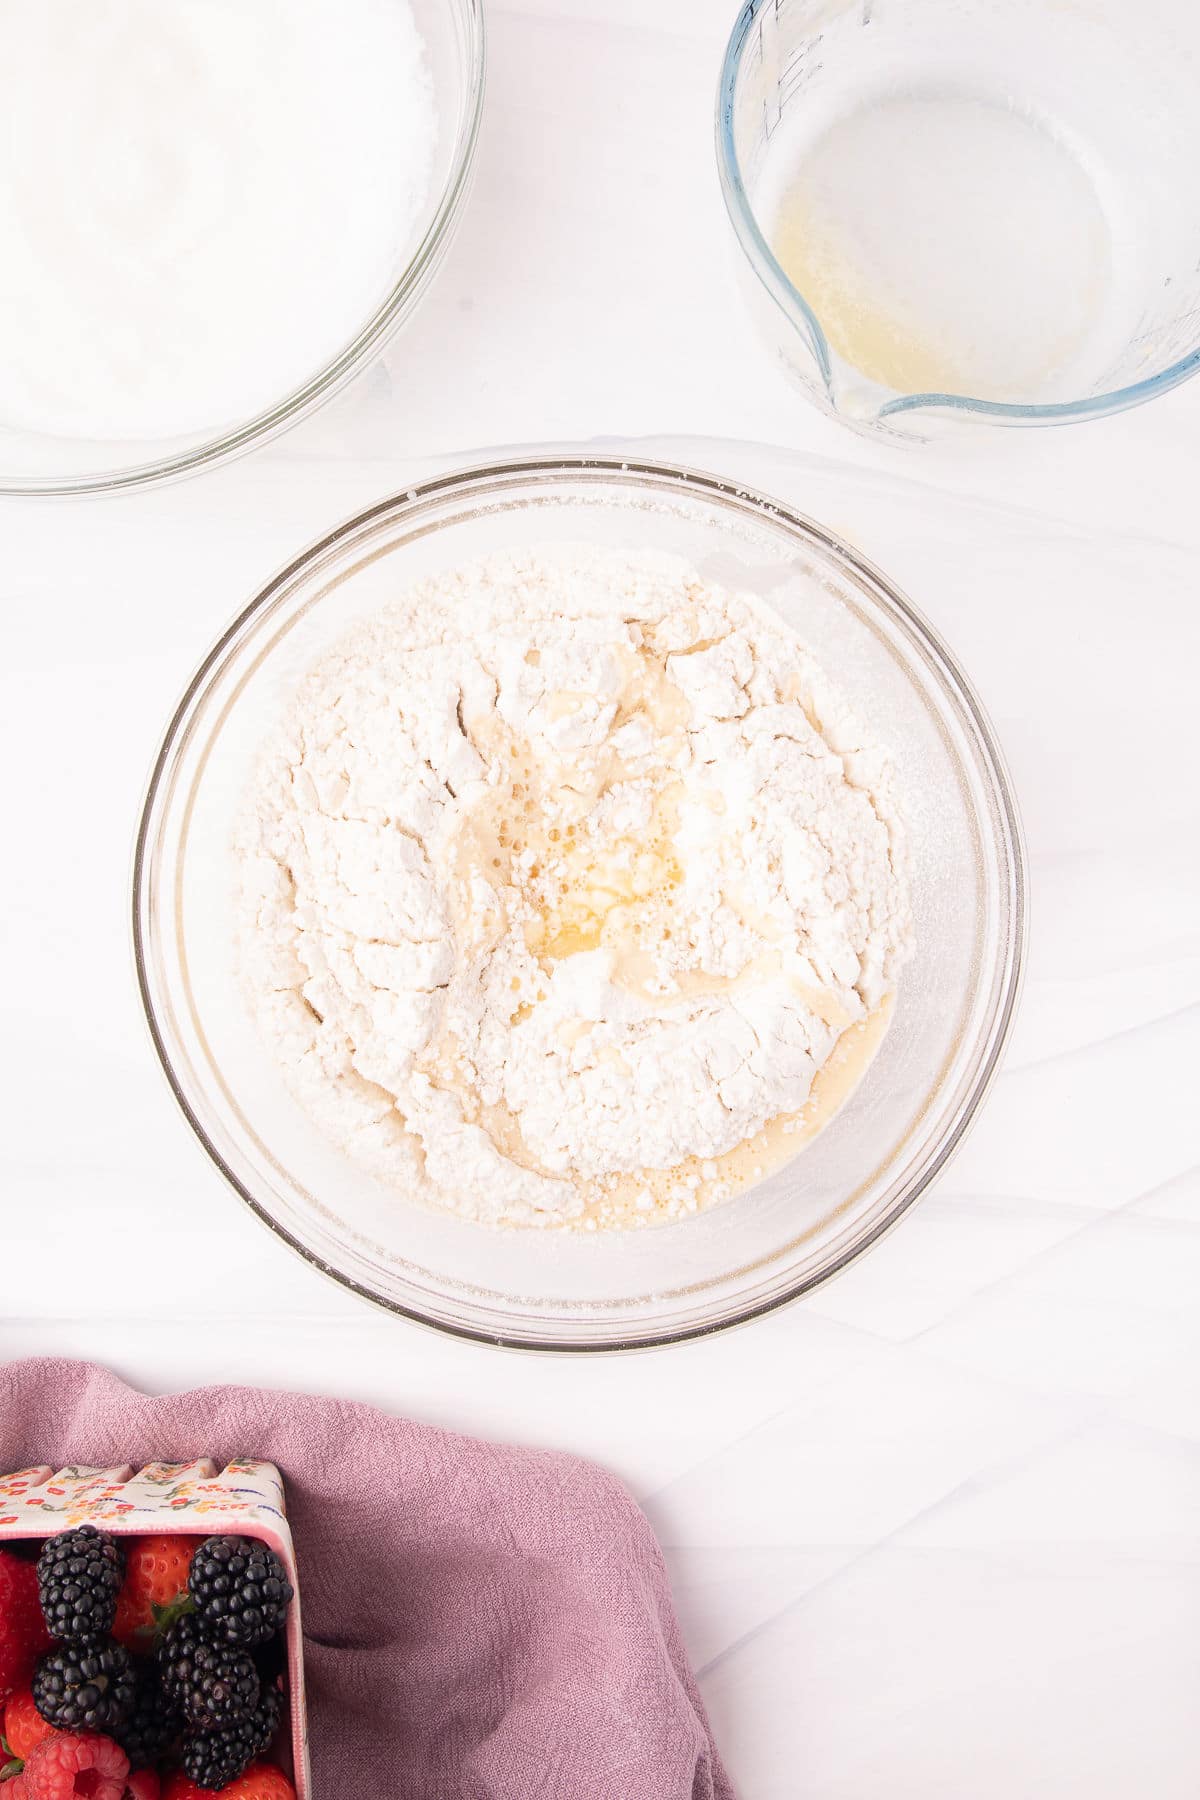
{"points": [[352, 359]]}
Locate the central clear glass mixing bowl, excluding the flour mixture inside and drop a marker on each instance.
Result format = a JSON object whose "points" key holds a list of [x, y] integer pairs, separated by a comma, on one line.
{"points": [[571, 1290]]}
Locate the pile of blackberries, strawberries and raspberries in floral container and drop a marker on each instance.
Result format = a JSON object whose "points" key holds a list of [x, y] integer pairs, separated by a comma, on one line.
{"points": [[141, 1671]]}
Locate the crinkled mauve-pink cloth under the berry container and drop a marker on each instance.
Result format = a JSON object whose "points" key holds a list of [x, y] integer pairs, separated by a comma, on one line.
{"points": [[481, 1623]]}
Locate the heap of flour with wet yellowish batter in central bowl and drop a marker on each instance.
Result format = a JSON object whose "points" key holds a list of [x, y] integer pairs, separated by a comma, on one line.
{"points": [[569, 886]]}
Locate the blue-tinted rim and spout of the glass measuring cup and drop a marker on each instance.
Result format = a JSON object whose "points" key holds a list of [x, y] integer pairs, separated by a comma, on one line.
{"points": [[801, 316]]}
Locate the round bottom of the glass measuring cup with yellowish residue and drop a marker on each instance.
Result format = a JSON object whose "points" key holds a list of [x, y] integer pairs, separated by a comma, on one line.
{"points": [[947, 246]]}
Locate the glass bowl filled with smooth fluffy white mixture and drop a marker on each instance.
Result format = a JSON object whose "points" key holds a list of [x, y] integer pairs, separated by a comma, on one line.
{"points": [[217, 219]]}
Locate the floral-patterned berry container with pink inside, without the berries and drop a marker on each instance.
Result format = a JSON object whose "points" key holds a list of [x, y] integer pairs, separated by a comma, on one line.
{"points": [[193, 1500]]}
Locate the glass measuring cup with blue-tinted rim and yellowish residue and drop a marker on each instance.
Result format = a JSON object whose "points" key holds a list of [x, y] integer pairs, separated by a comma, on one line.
{"points": [[1017, 175]]}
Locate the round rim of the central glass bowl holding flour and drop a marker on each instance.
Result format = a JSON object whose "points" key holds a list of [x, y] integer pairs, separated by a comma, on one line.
{"points": [[490, 478]]}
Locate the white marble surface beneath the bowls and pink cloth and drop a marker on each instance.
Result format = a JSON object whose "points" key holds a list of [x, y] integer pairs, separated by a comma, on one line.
{"points": [[933, 1534]]}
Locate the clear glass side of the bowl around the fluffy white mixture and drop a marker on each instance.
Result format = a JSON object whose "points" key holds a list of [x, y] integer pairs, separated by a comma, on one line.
{"points": [[454, 40]]}
